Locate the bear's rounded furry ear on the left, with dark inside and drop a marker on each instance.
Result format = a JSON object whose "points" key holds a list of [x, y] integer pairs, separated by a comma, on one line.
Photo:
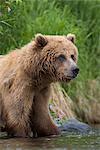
{"points": [[40, 40]]}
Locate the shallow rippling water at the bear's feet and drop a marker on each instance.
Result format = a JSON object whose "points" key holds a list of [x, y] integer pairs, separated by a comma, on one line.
{"points": [[66, 141]]}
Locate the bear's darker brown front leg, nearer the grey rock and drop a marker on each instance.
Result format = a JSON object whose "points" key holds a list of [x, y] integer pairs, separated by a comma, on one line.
{"points": [[41, 121]]}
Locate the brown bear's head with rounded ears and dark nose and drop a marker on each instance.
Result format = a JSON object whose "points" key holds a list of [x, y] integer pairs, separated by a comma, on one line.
{"points": [[57, 56]]}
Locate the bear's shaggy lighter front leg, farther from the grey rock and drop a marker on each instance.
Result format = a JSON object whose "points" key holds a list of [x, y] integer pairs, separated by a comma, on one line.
{"points": [[17, 106]]}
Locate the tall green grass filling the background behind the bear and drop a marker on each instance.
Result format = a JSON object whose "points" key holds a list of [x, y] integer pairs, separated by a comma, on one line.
{"points": [[20, 20]]}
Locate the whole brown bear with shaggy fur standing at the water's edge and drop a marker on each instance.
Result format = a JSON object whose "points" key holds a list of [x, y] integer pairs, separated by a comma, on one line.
{"points": [[25, 78]]}
